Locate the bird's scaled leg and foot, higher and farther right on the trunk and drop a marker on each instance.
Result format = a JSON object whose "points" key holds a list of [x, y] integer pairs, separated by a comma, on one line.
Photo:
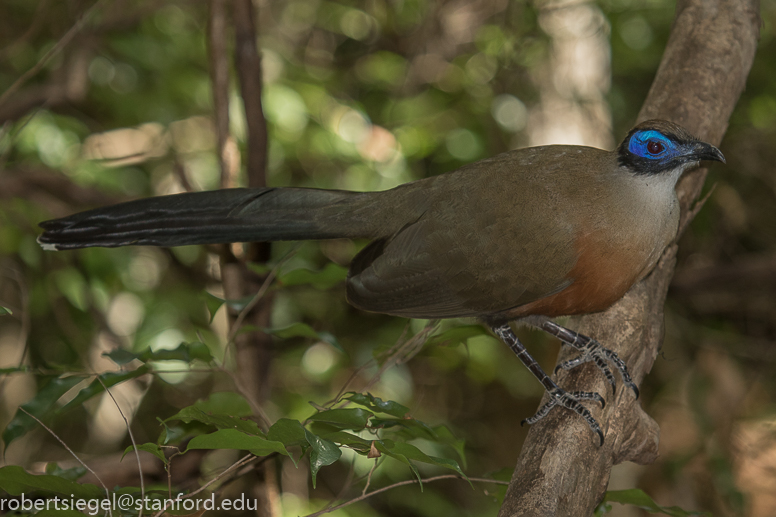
{"points": [[591, 351]]}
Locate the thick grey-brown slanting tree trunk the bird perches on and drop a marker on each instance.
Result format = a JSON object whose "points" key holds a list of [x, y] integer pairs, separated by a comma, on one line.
{"points": [[561, 470]]}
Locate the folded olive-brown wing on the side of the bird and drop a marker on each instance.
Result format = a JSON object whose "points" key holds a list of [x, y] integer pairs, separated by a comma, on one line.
{"points": [[472, 251]]}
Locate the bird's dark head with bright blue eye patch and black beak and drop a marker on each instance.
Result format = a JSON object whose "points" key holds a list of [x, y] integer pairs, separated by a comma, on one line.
{"points": [[658, 146]]}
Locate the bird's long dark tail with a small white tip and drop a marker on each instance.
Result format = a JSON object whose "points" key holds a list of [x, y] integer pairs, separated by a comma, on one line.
{"points": [[218, 216]]}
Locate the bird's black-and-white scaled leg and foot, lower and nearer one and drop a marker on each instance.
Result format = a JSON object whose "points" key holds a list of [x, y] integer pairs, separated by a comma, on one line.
{"points": [[558, 396]]}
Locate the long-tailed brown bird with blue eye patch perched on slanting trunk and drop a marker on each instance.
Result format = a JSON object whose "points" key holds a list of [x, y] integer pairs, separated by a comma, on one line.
{"points": [[528, 235]]}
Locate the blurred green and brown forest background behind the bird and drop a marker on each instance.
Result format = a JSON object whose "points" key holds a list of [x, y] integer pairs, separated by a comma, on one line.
{"points": [[367, 95]]}
